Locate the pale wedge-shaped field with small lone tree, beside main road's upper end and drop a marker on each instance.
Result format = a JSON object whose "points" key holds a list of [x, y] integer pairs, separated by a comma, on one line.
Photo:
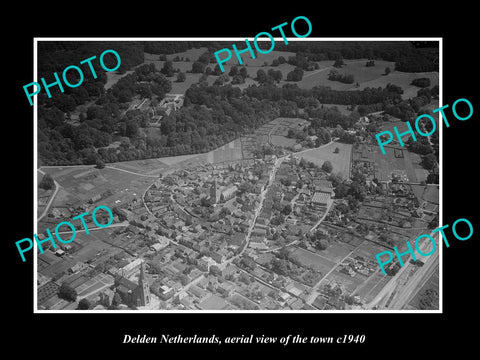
{"points": [[340, 161]]}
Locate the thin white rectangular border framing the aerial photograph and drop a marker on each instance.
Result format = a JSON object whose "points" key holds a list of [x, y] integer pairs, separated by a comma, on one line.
{"points": [[35, 190]]}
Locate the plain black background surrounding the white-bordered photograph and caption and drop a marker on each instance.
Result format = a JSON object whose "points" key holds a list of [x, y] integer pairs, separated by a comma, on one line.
{"points": [[386, 334]]}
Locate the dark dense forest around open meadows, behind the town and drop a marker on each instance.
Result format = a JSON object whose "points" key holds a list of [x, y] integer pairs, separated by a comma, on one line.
{"points": [[107, 129]]}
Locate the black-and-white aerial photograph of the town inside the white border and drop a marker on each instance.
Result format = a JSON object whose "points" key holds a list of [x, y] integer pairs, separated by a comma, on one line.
{"points": [[260, 188]]}
